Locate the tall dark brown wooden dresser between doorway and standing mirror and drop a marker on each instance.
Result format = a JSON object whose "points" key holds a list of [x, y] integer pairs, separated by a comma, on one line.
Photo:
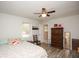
{"points": [[57, 37]]}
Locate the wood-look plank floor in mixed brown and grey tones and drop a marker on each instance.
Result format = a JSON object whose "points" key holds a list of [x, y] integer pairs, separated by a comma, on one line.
{"points": [[59, 53]]}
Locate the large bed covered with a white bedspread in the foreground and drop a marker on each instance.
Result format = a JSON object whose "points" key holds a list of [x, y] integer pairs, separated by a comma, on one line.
{"points": [[22, 50]]}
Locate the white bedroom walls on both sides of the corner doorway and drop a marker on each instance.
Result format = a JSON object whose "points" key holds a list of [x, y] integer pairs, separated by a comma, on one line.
{"points": [[10, 26]]}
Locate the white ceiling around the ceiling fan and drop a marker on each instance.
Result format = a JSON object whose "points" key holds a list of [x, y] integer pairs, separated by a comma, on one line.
{"points": [[28, 8]]}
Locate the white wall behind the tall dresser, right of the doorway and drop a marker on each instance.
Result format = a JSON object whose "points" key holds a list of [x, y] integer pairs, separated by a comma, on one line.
{"points": [[70, 24]]}
